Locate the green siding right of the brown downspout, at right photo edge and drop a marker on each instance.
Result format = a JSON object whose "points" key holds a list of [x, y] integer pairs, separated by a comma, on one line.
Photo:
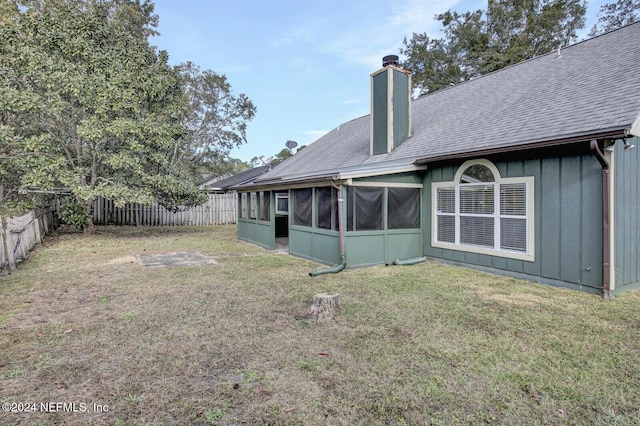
{"points": [[626, 165]]}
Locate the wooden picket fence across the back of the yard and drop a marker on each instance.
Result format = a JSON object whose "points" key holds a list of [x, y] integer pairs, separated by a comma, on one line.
{"points": [[220, 209]]}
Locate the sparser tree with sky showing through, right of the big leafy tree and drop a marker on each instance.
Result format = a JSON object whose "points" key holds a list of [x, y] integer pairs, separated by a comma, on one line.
{"points": [[215, 121]]}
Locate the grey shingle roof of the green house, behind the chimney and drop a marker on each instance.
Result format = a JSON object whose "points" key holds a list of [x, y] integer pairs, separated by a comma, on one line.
{"points": [[589, 87]]}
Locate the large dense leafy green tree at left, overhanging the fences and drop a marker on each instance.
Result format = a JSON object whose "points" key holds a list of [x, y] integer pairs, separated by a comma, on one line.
{"points": [[88, 104]]}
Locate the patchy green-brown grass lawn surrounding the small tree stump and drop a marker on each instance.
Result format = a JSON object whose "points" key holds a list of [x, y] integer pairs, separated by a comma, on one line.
{"points": [[89, 336]]}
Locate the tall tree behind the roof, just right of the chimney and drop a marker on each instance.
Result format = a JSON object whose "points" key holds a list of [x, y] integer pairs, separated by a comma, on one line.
{"points": [[482, 41]]}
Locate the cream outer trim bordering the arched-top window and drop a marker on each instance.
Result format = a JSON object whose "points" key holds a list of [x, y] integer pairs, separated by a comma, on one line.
{"points": [[528, 180]]}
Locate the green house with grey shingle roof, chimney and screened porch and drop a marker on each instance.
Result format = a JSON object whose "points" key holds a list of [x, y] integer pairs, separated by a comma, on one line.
{"points": [[528, 172]]}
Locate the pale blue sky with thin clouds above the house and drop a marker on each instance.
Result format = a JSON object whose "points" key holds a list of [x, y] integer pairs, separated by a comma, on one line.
{"points": [[305, 65]]}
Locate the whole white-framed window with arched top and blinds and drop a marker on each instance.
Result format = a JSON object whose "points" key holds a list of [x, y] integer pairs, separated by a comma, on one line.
{"points": [[483, 213]]}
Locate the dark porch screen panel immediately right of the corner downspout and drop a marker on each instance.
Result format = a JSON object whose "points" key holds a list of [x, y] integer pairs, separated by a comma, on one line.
{"points": [[364, 208]]}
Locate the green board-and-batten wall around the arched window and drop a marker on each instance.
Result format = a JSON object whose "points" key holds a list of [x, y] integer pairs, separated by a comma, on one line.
{"points": [[567, 222]]}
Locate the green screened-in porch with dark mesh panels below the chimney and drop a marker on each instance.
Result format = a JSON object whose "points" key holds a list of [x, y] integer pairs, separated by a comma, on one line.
{"points": [[381, 218]]}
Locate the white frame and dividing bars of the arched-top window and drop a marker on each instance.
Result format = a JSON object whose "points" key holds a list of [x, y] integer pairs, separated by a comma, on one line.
{"points": [[529, 181]]}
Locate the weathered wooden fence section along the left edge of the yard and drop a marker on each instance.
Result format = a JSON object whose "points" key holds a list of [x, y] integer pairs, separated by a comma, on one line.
{"points": [[19, 234]]}
